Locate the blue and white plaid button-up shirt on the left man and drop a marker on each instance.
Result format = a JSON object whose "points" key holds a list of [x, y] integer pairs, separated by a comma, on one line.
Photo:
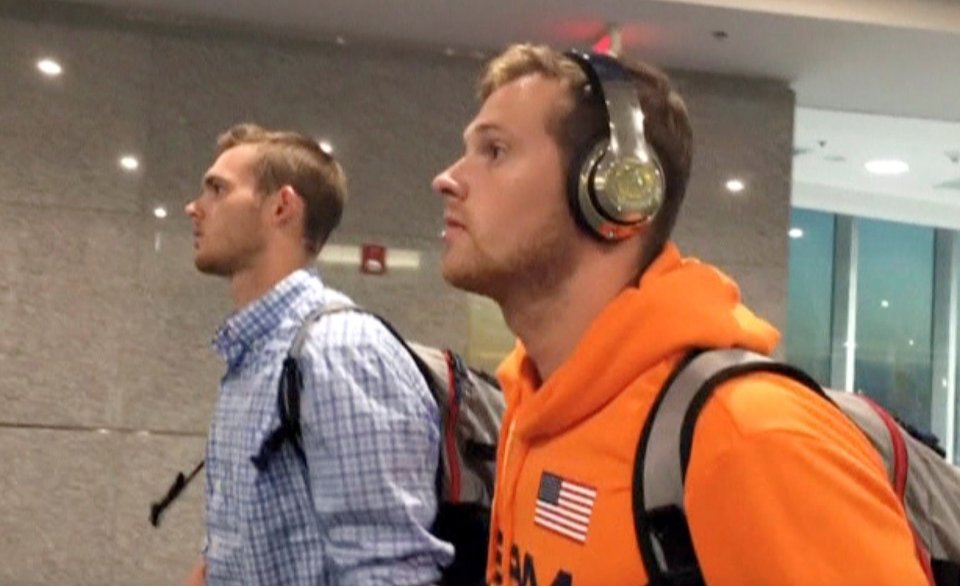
{"points": [[360, 512]]}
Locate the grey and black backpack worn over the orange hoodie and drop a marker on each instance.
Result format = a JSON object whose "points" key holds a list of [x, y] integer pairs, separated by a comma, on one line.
{"points": [[927, 485]]}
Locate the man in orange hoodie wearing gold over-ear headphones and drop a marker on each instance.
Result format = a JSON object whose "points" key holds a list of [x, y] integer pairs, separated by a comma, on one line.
{"points": [[560, 210]]}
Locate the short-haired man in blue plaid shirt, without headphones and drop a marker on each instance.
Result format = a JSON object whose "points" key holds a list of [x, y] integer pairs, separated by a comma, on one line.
{"points": [[359, 512]]}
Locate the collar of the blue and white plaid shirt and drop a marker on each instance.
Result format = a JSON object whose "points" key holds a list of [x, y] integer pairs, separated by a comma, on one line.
{"points": [[262, 316]]}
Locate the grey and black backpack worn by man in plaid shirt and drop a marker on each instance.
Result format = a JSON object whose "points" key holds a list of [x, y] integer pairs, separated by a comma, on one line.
{"points": [[471, 407]]}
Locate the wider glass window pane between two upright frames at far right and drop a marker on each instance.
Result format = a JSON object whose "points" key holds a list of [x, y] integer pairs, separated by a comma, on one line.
{"points": [[894, 317]]}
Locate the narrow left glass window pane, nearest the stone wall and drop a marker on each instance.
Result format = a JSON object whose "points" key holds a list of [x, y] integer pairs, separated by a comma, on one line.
{"points": [[809, 292]]}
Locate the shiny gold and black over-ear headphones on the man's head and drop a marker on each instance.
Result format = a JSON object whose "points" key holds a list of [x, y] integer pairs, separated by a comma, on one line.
{"points": [[617, 183]]}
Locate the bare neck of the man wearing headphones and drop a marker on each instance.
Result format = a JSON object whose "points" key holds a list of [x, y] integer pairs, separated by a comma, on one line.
{"points": [[551, 325]]}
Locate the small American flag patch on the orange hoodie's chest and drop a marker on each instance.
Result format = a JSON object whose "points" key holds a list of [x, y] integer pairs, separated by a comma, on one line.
{"points": [[564, 506]]}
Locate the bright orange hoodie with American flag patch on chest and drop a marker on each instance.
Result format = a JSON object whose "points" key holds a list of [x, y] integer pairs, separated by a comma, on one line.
{"points": [[781, 489]]}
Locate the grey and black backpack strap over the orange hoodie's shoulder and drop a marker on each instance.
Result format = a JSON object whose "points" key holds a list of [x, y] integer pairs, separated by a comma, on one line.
{"points": [[659, 471]]}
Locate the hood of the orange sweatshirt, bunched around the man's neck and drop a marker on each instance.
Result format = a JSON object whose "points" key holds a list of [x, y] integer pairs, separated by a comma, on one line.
{"points": [[680, 304]]}
